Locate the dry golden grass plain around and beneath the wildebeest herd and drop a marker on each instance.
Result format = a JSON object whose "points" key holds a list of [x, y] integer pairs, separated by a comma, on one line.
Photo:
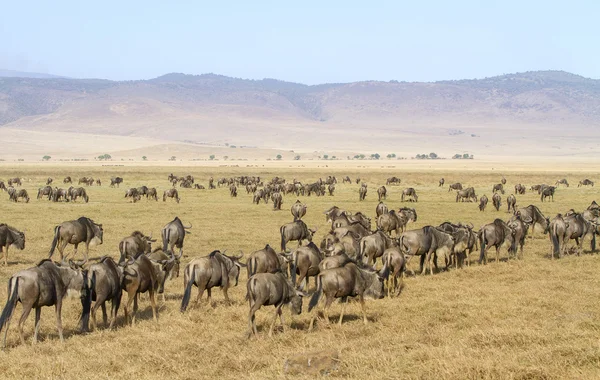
{"points": [[519, 319]]}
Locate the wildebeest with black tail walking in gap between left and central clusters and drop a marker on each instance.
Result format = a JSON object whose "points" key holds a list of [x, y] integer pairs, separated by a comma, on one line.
{"points": [[216, 269]]}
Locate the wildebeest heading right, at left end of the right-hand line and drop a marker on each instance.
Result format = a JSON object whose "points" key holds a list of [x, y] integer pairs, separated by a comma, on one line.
{"points": [[427, 242]]}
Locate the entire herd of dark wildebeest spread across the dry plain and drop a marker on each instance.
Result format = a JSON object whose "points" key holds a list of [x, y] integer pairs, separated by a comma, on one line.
{"points": [[343, 266]]}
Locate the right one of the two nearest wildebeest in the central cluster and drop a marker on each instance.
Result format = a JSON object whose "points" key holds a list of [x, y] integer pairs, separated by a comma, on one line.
{"points": [[344, 282]]}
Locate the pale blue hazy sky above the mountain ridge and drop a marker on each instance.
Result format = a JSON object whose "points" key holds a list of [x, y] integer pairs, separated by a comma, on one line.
{"points": [[302, 41]]}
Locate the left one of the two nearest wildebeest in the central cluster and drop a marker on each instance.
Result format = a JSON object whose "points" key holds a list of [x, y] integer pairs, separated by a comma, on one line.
{"points": [[275, 289]]}
